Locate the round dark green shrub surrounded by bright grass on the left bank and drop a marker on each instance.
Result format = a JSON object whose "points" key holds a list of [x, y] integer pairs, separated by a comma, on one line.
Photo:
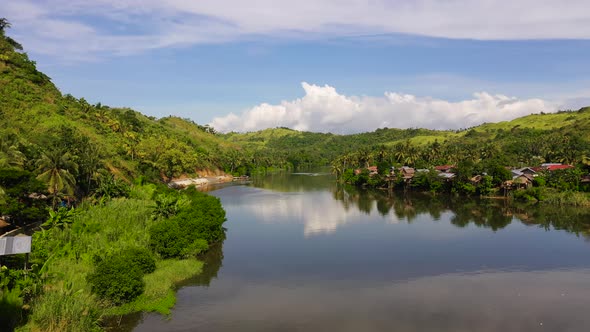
{"points": [[117, 279]]}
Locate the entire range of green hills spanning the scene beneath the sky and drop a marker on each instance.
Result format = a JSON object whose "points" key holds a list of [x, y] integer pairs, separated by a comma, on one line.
{"points": [[37, 121]]}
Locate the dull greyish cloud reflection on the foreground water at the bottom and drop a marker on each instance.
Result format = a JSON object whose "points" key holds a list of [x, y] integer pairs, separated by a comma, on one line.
{"points": [[486, 302]]}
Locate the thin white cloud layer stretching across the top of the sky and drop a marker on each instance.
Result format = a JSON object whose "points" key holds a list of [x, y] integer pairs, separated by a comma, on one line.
{"points": [[128, 26]]}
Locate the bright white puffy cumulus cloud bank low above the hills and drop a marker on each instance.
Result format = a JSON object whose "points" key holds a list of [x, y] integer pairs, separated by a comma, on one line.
{"points": [[323, 109]]}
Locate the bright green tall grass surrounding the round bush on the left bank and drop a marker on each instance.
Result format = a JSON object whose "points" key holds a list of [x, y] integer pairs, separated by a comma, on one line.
{"points": [[68, 304]]}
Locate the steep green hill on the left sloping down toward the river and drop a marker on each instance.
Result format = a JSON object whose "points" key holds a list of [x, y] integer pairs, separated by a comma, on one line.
{"points": [[36, 120]]}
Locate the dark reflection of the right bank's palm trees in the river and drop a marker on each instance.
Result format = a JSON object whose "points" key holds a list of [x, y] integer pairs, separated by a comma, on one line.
{"points": [[495, 214]]}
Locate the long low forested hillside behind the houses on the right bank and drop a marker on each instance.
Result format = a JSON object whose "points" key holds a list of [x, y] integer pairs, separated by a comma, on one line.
{"points": [[558, 137]]}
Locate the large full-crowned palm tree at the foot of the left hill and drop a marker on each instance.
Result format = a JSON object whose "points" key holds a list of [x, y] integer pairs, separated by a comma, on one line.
{"points": [[55, 166]]}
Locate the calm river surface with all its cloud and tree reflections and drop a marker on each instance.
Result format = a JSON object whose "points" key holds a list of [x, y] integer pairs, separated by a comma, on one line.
{"points": [[303, 254]]}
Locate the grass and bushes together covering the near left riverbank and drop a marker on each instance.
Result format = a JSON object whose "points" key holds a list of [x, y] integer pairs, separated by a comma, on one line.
{"points": [[97, 261]]}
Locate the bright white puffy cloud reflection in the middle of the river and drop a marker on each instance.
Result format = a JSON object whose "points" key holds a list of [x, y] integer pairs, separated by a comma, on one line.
{"points": [[317, 211]]}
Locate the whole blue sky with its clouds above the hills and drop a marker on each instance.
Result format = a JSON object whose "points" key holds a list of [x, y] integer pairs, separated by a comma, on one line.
{"points": [[341, 66]]}
